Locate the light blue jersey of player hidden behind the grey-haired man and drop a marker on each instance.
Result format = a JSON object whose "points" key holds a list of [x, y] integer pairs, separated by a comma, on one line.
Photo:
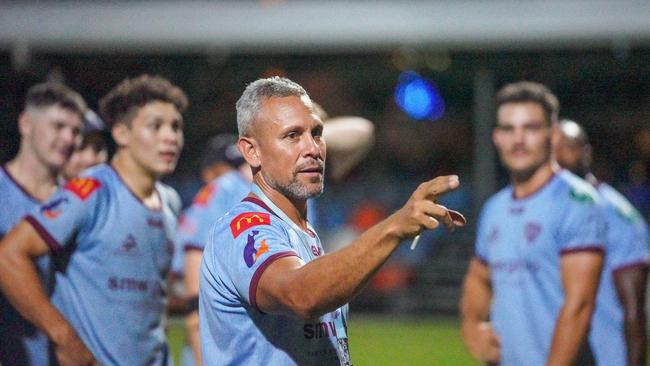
{"points": [[212, 202]]}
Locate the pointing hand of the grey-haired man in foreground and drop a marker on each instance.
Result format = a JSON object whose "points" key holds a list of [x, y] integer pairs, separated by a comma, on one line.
{"points": [[421, 212]]}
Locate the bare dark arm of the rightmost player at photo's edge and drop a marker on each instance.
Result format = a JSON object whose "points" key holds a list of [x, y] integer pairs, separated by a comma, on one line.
{"points": [[631, 285]]}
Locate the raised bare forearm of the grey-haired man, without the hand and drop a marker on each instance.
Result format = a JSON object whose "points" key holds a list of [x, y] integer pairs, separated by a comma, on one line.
{"points": [[332, 280]]}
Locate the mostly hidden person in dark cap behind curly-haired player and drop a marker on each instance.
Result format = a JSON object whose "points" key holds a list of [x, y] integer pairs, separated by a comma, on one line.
{"points": [[91, 151]]}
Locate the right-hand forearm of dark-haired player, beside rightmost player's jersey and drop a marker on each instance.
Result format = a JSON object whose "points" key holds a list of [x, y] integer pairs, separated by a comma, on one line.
{"points": [[570, 332]]}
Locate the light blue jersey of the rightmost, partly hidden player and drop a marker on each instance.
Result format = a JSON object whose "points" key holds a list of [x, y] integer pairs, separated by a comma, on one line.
{"points": [[627, 246]]}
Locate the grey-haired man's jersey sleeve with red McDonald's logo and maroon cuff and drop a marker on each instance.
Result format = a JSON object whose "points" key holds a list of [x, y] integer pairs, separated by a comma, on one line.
{"points": [[254, 250]]}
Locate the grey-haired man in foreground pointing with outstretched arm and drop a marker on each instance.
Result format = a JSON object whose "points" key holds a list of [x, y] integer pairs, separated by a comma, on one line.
{"points": [[268, 293]]}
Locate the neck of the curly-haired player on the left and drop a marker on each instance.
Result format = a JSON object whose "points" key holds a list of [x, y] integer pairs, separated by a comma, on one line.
{"points": [[141, 182]]}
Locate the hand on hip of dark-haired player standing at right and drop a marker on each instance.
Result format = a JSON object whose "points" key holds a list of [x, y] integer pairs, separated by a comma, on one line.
{"points": [[483, 343]]}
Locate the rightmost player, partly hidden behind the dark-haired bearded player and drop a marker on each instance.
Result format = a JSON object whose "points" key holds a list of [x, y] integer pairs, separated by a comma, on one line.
{"points": [[618, 327]]}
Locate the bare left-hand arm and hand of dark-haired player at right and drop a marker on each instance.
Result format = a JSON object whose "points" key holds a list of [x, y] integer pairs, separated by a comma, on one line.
{"points": [[478, 335]]}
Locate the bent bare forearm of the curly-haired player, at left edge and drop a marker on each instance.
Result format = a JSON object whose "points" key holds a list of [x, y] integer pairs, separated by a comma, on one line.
{"points": [[21, 285]]}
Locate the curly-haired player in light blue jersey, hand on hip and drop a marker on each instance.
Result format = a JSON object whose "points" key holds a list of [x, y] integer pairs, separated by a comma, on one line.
{"points": [[110, 233]]}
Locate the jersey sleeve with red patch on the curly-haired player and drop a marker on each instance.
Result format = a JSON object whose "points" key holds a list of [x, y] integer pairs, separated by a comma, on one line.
{"points": [[67, 212]]}
